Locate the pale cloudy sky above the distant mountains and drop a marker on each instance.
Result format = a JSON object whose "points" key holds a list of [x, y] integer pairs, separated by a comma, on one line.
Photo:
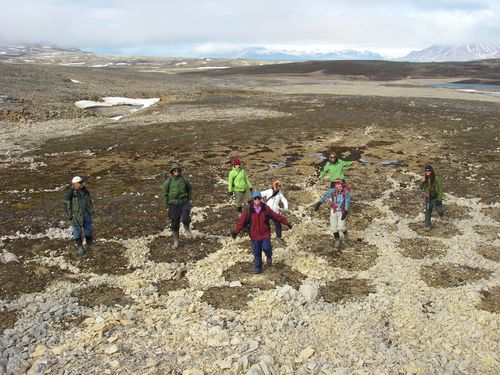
{"points": [[195, 28]]}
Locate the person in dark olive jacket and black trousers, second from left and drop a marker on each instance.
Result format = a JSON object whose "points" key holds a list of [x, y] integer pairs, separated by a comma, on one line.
{"points": [[176, 194]]}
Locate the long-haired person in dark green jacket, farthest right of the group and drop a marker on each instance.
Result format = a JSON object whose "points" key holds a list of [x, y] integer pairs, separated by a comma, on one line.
{"points": [[431, 186]]}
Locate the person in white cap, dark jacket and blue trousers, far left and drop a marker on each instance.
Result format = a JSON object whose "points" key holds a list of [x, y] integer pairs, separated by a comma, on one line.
{"points": [[79, 209]]}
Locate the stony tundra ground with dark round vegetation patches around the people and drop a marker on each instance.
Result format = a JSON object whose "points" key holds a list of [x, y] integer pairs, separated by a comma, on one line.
{"points": [[396, 299]]}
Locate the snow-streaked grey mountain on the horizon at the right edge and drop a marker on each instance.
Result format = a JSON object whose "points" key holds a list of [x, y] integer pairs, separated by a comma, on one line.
{"points": [[462, 52]]}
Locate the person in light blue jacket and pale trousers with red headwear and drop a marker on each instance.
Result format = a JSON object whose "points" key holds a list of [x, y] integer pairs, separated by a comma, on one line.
{"points": [[340, 205]]}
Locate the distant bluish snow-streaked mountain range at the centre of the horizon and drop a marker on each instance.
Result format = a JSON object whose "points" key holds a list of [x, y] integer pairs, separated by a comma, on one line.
{"points": [[263, 53]]}
